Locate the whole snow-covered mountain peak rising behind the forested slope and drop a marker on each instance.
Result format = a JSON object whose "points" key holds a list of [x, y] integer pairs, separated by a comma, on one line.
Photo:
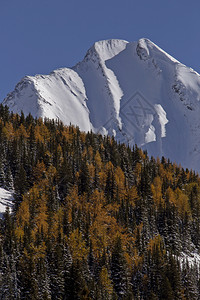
{"points": [[134, 91]]}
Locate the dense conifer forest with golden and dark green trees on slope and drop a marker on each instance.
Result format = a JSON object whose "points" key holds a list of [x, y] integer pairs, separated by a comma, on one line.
{"points": [[93, 219]]}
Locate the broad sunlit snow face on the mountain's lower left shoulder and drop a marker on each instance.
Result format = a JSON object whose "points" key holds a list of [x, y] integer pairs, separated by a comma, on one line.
{"points": [[60, 95]]}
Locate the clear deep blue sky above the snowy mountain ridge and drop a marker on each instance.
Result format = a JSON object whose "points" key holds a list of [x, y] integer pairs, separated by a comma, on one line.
{"points": [[38, 36]]}
